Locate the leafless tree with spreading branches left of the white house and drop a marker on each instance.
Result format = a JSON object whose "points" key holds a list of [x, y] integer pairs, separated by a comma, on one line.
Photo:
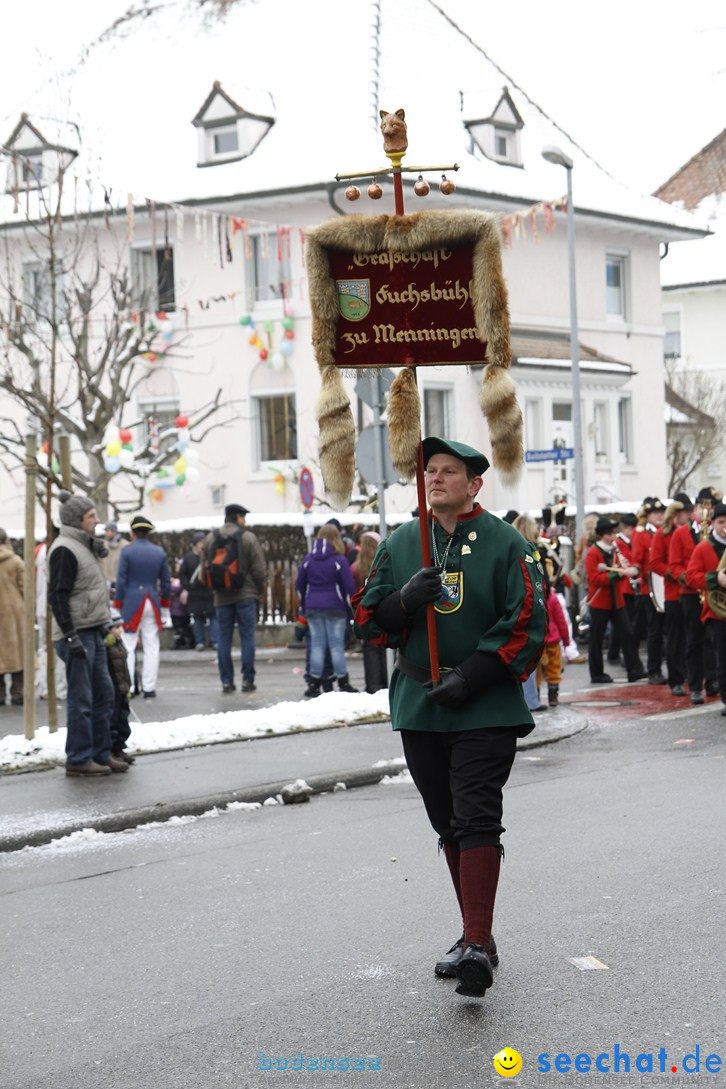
{"points": [[80, 337]]}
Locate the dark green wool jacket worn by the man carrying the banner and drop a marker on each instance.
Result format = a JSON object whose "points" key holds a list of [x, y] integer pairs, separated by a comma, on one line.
{"points": [[495, 603]]}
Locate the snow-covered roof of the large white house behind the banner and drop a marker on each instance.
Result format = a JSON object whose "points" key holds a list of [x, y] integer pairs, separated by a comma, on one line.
{"points": [[134, 96]]}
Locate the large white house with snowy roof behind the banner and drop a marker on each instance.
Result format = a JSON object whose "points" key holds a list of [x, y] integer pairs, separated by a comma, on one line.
{"points": [[222, 248]]}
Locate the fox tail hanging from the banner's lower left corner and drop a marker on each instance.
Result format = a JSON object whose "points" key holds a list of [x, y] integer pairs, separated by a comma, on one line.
{"points": [[337, 442]]}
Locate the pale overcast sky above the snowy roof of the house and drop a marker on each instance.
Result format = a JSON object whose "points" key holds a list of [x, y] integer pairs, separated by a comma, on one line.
{"points": [[642, 85]]}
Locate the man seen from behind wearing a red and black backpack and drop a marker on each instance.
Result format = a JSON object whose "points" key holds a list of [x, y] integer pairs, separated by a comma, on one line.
{"points": [[235, 569]]}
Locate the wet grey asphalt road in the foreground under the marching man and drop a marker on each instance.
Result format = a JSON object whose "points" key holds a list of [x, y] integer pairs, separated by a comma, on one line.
{"points": [[189, 956]]}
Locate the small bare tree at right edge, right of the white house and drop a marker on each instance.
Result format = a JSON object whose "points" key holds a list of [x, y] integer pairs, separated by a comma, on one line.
{"points": [[696, 403]]}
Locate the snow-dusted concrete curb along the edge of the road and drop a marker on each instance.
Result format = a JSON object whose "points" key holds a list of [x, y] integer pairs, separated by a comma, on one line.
{"points": [[194, 807]]}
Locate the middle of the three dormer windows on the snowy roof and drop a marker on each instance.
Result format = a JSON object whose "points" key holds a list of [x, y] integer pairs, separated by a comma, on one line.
{"points": [[227, 131]]}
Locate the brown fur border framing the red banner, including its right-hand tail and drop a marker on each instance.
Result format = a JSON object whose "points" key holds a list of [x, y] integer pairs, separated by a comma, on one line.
{"points": [[422, 231]]}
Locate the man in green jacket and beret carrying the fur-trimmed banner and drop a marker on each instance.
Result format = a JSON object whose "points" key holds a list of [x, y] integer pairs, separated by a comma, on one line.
{"points": [[460, 737]]}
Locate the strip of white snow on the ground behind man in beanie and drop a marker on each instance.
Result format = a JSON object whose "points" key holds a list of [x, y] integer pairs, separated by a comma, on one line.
{"points": [[328, 712]]}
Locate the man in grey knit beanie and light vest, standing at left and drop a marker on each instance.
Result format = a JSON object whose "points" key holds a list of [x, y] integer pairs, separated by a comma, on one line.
{"points": [[79, 596]]}
